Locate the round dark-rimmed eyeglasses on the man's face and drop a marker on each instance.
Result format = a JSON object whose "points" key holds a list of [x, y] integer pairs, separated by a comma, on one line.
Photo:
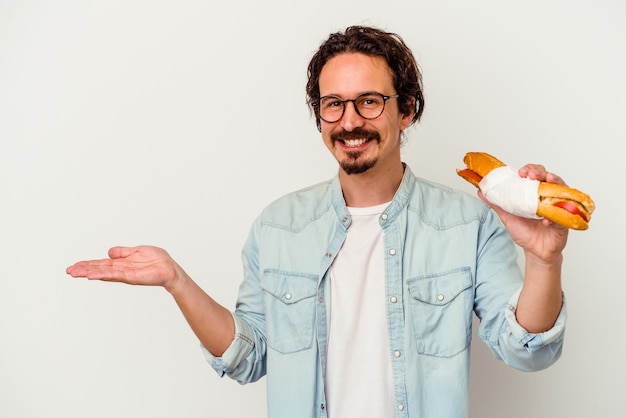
{"points": [[369, 105]]}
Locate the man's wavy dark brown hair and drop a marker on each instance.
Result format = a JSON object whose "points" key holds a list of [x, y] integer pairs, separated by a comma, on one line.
{"points": [[407, 78]]}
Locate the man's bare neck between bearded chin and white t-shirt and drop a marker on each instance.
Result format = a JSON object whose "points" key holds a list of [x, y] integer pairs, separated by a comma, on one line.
{"points": [[372, 187]]}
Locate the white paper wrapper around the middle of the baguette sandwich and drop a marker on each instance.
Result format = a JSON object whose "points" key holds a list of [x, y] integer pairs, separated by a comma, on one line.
{"points": [[515, 194]]}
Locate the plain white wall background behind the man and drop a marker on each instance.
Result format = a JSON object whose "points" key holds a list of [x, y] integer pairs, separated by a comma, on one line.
{"points": [[173, 123]]}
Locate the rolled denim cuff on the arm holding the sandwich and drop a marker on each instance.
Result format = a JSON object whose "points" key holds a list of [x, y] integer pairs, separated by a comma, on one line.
{"points": [[534, 342]]}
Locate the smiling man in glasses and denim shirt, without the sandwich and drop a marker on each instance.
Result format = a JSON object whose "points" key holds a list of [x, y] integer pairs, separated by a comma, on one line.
{"points": [[358, 293]]}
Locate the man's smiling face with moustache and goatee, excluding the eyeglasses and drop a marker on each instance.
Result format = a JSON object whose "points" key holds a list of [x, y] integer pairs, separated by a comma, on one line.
{"points": [[361, 145]]}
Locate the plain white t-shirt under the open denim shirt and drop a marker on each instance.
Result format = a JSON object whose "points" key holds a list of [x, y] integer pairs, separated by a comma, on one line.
{"points": [[358, 372]]}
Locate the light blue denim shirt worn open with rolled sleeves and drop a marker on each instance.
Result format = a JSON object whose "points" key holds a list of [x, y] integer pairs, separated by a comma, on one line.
{"points": [[447, 256]]}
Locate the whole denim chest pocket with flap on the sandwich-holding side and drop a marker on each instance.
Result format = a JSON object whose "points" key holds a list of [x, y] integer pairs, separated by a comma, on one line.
{"points": [[441, 310]]}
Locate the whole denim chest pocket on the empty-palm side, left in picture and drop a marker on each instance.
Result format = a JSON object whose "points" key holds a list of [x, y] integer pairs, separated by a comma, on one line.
{"points": [[289, 309]]}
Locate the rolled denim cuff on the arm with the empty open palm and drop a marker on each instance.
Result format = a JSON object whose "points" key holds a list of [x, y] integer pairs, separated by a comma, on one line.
{"points": [[237, 351]]}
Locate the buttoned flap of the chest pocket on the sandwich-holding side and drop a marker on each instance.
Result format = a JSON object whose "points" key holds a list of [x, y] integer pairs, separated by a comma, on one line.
{"points": [[440, 289]]}
